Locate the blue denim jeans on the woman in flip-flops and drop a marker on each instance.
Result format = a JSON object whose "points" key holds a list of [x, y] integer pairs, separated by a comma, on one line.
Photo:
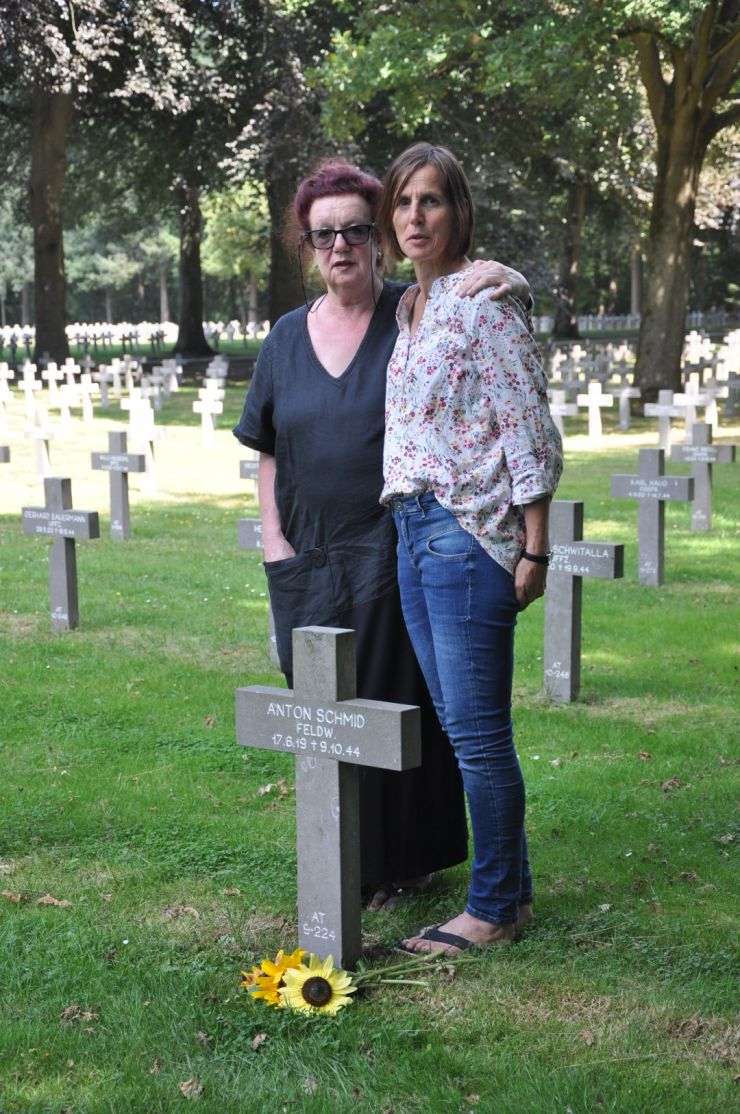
{"points": [[461, 612]]}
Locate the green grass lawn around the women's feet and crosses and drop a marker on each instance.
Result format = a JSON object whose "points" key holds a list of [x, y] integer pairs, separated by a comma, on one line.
{"points": [[145, 859]]}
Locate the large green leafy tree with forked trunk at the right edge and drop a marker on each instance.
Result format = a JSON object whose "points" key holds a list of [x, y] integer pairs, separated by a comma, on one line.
{"points": [[569, 64]]}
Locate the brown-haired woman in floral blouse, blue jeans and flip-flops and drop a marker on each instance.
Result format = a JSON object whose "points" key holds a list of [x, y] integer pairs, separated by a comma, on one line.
{"points": [[472, 461]]}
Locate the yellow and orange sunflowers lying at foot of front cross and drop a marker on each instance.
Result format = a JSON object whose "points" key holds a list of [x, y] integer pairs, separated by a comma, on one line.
{"points": [[319, 988]]}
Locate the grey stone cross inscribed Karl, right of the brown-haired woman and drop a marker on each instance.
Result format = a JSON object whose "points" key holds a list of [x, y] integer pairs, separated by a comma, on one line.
{"points": [[653, 490]]}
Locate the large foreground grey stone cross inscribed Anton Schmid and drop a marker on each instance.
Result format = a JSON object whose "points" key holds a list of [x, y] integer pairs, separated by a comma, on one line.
{"points": [[333, 735]]}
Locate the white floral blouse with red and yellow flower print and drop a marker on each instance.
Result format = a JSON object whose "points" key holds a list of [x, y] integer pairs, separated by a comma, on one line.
{"points": [[468, 416]]}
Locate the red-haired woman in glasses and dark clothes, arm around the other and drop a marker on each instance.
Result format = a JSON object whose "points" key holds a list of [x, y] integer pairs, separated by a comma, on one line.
{"points": [[315, 413]]}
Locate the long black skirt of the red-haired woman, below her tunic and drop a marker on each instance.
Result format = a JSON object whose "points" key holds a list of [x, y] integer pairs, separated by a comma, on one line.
{"points": [[414, 823]]}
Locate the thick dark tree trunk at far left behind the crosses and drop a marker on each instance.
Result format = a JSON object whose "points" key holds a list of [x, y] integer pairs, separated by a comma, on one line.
{"points": [[53, 114]]}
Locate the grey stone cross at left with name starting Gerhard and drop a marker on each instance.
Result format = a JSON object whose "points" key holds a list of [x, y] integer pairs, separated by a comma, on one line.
{"points": [[59, 521]]}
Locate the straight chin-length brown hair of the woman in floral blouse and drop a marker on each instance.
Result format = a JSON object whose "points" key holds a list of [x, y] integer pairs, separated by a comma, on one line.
{"points": [[455, 188]]}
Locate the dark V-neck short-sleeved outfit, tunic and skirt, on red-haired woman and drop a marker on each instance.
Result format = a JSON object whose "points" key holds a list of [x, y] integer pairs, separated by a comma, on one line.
{"points": [[326, 434]]}
